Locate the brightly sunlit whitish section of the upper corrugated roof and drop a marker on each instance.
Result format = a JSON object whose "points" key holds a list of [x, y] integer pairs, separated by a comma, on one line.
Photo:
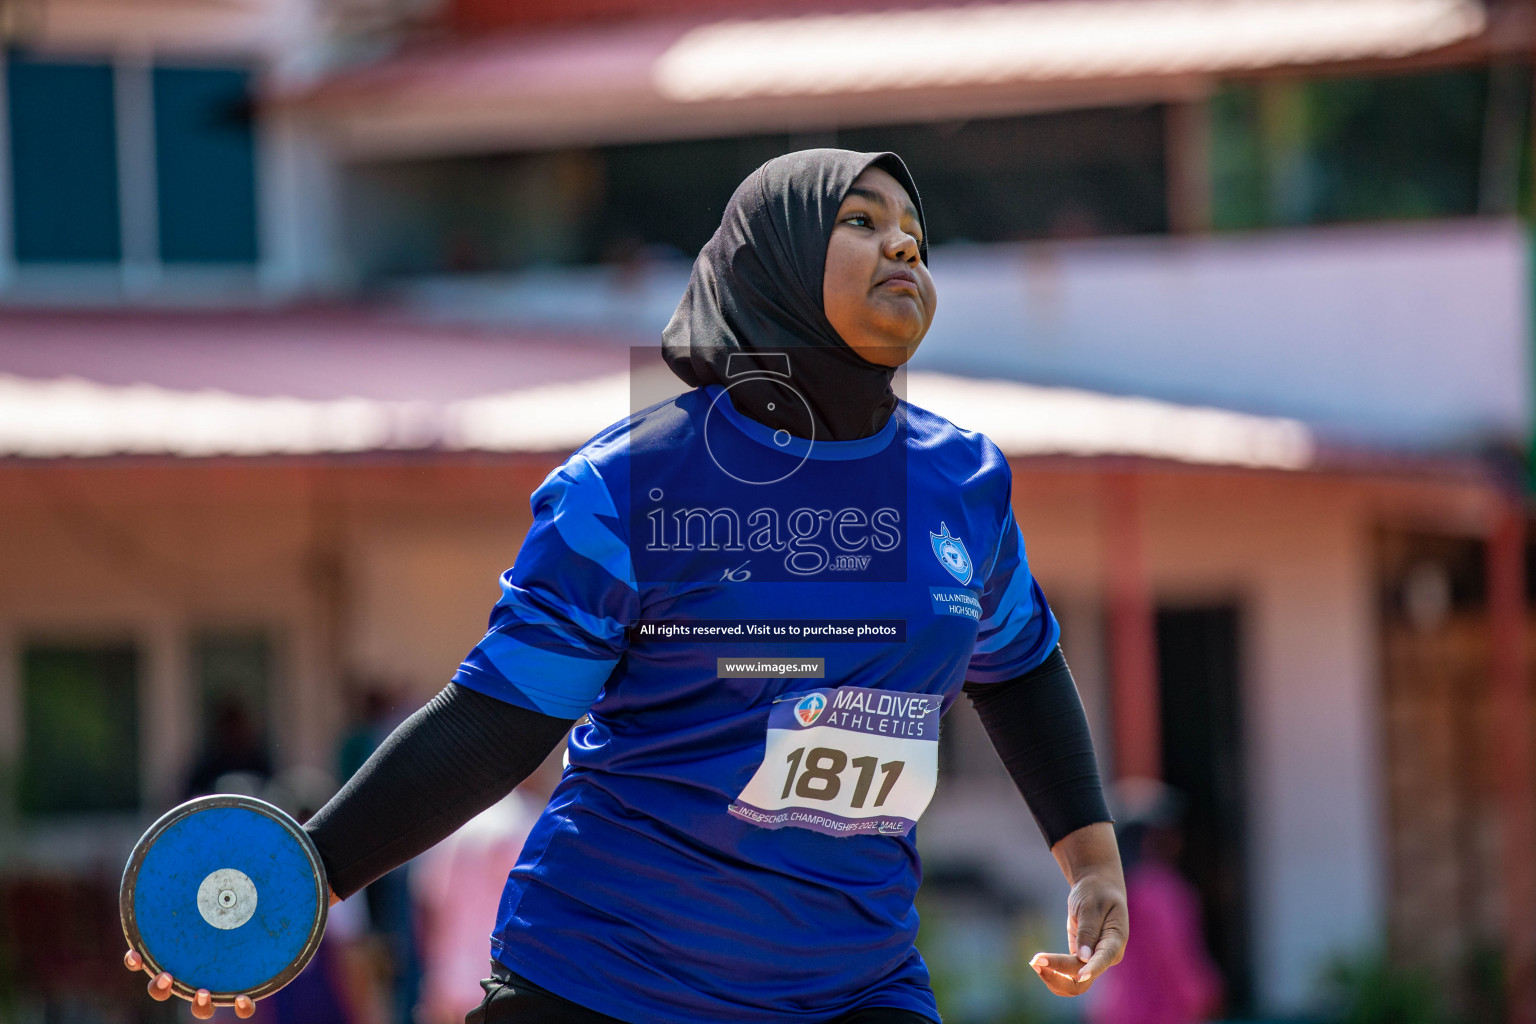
{"points": [[1042, 42]]}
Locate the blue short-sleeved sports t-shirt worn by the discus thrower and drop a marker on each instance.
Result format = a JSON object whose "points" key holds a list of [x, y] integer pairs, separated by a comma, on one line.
{"points": [[654, 888]]}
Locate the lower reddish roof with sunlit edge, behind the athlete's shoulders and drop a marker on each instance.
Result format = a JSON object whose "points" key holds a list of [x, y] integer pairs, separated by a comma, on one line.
{"points": [[300, 385]]}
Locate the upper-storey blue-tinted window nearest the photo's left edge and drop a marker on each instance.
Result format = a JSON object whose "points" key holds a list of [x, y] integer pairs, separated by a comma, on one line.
{"points": [[64, 162]]}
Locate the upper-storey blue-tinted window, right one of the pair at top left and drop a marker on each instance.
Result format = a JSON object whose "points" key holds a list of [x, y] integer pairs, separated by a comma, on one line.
{"points": [[205, 164]]}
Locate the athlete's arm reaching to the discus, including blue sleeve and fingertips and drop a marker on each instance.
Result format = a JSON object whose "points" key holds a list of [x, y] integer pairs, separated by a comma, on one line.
{"points": [[554, 639]]}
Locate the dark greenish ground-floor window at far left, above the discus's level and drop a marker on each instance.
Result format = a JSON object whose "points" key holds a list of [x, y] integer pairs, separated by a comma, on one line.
{"points": [[81, 730]]}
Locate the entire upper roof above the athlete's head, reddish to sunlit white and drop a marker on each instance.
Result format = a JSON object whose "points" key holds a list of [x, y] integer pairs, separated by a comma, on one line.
{"points": [[678, 78]]}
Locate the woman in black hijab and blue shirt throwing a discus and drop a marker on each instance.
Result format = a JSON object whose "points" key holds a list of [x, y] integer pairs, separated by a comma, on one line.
{"points": [[758, 600]]}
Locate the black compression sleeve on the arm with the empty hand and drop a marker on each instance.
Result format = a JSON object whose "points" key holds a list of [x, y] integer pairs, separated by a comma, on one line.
{"points": [[1039, 728]]}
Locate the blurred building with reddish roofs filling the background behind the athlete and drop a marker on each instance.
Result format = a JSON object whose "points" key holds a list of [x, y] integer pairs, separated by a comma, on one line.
{"points": [[302, 299]]}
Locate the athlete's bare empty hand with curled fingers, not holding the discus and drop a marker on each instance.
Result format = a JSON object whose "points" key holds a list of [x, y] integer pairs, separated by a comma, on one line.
{"points": [[1097, 922]]}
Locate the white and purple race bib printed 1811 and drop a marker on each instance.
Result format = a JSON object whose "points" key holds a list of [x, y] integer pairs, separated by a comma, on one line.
{"points": [[846, 762]]}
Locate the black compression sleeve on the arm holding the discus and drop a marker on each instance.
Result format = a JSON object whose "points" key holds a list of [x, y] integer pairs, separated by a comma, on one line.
{"points": [[446, 764]]}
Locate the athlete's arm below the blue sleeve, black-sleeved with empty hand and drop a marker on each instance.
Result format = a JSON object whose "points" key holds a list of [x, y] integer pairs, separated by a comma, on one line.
{"points": [[1041, 732]]}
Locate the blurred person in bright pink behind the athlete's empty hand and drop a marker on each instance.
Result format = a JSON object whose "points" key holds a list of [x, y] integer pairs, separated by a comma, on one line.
{"points": [[1167, 976]]}
